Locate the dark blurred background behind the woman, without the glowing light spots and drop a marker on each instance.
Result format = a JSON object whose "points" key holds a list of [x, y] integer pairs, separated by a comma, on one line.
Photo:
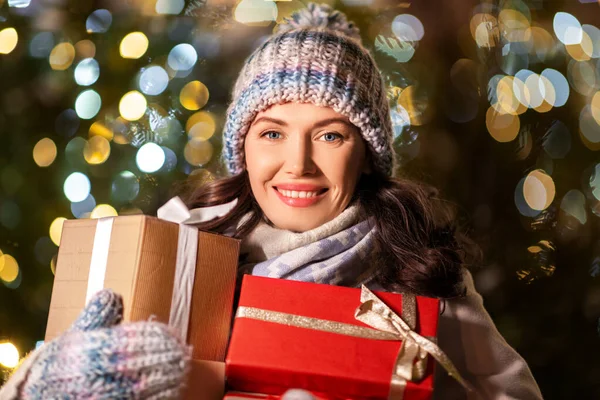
{"points": [[545, 300]]}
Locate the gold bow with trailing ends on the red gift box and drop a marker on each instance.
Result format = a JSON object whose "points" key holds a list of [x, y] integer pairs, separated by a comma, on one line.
{"points": [[411, 362]]}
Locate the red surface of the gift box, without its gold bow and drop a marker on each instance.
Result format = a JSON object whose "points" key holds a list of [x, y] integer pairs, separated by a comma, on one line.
{"points": [[270, 357]]}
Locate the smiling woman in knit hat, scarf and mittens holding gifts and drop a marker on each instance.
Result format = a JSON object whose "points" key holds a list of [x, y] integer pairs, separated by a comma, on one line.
{"points": [[308, 143]]}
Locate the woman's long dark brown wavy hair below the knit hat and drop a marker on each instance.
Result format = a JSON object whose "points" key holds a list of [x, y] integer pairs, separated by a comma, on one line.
{"points": [[420, 248]]}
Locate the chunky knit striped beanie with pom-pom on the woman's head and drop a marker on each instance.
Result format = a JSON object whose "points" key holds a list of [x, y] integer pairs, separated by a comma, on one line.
{"points": [[315, 56]]}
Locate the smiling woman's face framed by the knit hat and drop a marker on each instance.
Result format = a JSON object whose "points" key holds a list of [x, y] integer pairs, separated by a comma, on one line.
{"points": [[303, 162]]}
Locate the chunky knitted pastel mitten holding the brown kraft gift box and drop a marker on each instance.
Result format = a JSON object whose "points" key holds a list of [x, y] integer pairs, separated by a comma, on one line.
{"points": [[97, 358]]}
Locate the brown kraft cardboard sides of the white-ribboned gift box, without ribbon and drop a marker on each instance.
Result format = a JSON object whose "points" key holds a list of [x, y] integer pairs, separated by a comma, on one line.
{"points": [[141, 267]]}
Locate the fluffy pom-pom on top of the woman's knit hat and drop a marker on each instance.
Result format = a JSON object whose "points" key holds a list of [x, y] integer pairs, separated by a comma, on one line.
{"points": [[319, 16]]}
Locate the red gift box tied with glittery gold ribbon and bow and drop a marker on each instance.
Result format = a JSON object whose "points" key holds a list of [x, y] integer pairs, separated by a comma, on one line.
{"points": [[291, 334]]}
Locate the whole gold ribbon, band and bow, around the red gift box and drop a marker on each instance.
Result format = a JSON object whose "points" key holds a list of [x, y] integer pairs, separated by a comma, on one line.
{"points": [[411, 363]]}
